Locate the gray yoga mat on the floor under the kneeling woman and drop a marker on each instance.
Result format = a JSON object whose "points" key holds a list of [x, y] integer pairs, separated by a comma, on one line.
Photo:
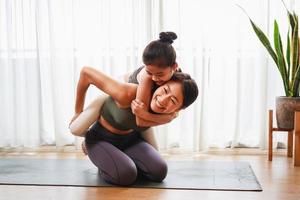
{"points": [[194, 175]]}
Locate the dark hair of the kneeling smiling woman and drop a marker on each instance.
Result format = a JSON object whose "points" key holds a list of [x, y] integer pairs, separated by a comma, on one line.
{"points": [[189, 88]]}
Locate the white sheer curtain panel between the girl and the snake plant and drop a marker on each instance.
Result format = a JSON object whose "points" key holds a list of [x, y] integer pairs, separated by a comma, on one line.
{"points": [[219, 48]]}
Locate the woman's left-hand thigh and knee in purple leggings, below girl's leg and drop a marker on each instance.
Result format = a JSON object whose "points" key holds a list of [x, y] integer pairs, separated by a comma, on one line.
{"points": [[115, 166]]}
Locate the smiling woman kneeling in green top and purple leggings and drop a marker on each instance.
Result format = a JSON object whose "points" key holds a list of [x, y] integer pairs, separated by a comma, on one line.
{"points": [[113, 143]]}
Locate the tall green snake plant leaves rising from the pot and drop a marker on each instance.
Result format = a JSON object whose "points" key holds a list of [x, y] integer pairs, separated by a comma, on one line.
{"points": [[286, 60]]}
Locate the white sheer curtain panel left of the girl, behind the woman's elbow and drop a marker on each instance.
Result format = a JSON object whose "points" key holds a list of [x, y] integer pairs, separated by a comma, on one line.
{"points": [[43, 45]]}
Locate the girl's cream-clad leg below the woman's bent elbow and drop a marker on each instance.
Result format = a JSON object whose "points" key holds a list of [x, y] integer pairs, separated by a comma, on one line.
{"points": [[91, 114]]}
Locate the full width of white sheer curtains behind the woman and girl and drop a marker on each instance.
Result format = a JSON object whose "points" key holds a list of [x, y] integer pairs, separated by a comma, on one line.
{"points": [[44, 43]]}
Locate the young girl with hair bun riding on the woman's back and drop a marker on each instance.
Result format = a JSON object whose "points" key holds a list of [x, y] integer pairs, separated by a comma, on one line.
{"points": [[159, 58]]}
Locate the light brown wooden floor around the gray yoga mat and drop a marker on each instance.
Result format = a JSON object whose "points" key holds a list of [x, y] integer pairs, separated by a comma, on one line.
{"points": [[279, 179]]}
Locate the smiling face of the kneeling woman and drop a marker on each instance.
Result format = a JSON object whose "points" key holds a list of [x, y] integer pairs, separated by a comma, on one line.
{"points": [[168, 98]]}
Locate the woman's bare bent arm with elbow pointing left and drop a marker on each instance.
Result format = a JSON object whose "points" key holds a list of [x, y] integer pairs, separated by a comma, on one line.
{"points": [[122, 93]]}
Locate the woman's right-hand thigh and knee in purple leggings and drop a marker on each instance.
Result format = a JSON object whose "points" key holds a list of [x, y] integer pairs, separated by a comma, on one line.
{"points": [[148, 161]]}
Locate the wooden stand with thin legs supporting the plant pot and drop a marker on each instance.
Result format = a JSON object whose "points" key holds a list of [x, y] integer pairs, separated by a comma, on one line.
{"points": [[291, 132]]}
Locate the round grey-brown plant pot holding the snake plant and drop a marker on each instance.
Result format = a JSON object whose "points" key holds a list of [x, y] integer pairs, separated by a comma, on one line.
{"points": [[285, 108]]}
